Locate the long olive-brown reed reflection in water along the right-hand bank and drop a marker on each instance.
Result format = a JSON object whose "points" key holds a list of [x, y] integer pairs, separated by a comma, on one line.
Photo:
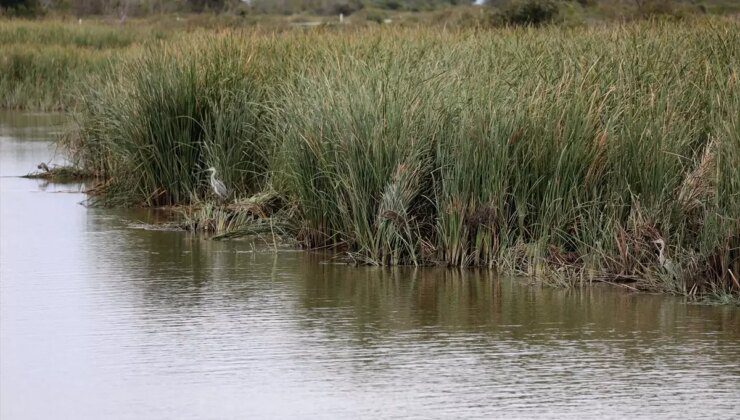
{"points": [[402, 298]]}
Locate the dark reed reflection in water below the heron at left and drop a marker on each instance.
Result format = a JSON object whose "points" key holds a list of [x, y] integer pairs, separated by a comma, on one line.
{"points": [[175, 269]]}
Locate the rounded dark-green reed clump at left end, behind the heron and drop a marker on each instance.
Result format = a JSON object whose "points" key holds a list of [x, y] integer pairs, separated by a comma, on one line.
{"points": [[163, 118]]}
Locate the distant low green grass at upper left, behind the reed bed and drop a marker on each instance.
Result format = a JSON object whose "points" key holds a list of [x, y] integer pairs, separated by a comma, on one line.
{"points": [[44, 64]]}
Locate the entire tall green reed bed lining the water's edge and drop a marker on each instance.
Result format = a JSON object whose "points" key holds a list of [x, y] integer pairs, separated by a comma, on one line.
{"points": [[570, 153]]}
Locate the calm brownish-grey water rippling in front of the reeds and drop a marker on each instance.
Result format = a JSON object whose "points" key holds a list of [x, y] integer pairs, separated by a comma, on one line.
{"points": [[101, 319]]}
